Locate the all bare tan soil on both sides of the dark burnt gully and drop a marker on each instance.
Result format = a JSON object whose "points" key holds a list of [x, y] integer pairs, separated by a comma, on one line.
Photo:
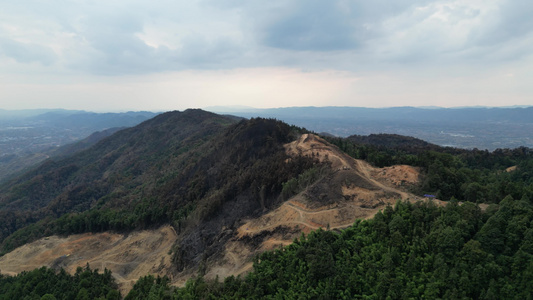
{"points": [[352, 190]]}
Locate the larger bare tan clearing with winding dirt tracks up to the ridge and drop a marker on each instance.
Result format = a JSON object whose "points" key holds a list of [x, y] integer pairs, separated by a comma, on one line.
{"points": [[353, 190]]}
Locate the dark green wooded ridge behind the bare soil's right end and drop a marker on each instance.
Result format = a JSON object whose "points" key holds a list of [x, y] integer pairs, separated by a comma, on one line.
{"points": [[472, 175]]}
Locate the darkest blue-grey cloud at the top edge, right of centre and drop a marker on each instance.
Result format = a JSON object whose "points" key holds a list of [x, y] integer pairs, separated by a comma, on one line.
{"points": [[318, 25]]}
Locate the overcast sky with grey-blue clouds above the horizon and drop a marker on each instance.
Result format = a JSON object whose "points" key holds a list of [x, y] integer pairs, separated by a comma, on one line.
{"points": [[118, 55]]}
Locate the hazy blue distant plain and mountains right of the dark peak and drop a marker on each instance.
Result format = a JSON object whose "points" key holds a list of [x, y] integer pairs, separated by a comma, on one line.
{"points": [[468, 127]]}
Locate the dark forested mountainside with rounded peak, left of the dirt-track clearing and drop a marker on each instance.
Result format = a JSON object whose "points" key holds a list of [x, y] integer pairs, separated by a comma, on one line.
{"points": [[194, 170]]}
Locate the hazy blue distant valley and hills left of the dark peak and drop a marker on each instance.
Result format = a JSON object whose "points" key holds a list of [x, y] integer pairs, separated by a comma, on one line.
{"points": [[30, 136]]}
